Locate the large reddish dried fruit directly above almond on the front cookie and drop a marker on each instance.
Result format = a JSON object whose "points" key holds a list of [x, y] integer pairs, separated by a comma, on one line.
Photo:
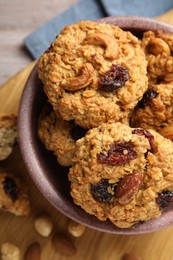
{"points": [[118, 154]]}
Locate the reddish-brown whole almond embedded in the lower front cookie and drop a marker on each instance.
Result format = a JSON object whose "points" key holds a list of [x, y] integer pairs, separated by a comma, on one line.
{"points": [[127, 187]]}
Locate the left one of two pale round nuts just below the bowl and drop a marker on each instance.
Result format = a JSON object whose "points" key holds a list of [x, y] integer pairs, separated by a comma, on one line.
{"points": [[43, 225]]}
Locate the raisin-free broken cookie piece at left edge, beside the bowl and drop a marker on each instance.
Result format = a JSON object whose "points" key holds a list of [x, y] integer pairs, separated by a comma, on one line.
{"points": [[8, 134]]}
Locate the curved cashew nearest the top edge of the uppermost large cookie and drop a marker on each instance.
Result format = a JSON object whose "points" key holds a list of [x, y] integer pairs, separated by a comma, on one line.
{"points": [[108, 41]]}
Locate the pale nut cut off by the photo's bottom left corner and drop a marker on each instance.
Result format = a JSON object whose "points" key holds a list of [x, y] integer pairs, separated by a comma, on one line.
{"points": [[10, 252]]}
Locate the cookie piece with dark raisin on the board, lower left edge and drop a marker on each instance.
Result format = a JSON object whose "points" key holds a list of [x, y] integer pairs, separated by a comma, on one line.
{"points": [[13, 195]]}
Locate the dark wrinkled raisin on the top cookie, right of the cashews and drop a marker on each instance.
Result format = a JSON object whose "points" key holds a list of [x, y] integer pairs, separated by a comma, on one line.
{"points": [[114, 78]]}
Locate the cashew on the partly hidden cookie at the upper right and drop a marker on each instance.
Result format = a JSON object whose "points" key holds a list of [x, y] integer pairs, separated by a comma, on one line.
{"points": [[158, 46]]}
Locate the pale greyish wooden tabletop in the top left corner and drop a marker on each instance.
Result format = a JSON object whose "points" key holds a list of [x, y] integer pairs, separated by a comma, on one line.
{"points": [[17, 19]]}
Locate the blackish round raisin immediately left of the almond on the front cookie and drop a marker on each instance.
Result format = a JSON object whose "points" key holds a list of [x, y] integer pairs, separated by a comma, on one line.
{"points": [[100, 191]]}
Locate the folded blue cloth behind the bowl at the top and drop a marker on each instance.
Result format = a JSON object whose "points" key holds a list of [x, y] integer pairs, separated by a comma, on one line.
{"points": [[39, 40]]}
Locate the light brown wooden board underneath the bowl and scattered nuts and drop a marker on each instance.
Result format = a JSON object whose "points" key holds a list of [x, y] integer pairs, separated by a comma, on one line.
{"points": [[93, 244]]}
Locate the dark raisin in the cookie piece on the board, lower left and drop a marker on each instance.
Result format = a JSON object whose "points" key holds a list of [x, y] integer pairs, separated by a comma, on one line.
{"points": [[10, 188]]}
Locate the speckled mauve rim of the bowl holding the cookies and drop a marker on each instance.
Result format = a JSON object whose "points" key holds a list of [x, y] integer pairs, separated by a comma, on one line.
{"points": [[34, 167]]}
